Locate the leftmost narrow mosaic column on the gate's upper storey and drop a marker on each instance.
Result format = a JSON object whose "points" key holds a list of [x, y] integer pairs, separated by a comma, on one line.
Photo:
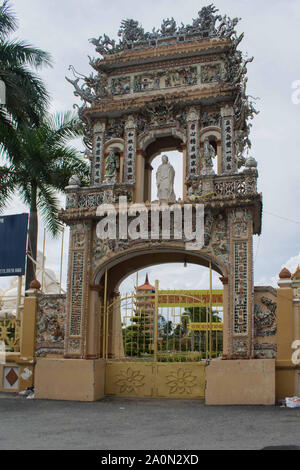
{"points": [[98, 153]]}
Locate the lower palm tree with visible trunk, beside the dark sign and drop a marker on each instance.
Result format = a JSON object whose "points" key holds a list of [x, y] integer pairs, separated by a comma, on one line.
{"points": [[38, 162]]}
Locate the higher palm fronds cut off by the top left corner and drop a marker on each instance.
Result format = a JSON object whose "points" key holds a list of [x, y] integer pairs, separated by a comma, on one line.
{"points": [[26, 96]]}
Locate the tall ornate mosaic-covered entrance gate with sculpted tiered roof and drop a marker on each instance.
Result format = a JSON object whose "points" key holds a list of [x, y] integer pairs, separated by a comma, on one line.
{"points": [[180, 88]]}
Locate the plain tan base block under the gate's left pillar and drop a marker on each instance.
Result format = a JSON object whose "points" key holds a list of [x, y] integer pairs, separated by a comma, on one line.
{"points": [[69, 379]]}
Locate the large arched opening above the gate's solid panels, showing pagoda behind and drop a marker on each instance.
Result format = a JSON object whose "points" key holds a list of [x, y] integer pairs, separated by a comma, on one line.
{"points": [[183, 313]]}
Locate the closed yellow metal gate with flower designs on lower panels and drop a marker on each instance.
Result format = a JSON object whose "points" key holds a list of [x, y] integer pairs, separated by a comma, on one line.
{"points": [[157, 345]]}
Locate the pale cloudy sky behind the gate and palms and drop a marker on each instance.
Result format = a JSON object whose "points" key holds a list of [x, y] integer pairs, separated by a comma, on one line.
{"points": [[271, 35]]}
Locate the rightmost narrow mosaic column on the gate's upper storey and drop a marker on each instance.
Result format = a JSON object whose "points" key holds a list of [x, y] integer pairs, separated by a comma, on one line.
{"points": [[227, 127]]}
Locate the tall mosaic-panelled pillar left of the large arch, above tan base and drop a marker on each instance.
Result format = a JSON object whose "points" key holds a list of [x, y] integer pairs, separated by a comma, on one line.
{"points": [[78, 289]]}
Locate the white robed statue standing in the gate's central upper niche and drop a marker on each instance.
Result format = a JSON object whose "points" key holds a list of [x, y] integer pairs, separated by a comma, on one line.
{"points": [[165, 181]]}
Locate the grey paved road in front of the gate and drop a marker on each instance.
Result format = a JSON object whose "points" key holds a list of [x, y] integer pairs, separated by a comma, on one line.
{"points": [[127, 424]]}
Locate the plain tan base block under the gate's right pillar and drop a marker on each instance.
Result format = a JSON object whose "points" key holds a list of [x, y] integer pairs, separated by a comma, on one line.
{"points": [[246, 382]]}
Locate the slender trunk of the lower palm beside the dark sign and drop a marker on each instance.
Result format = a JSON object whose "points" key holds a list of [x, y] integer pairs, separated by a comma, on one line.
{"points": [[32, 238]]}
